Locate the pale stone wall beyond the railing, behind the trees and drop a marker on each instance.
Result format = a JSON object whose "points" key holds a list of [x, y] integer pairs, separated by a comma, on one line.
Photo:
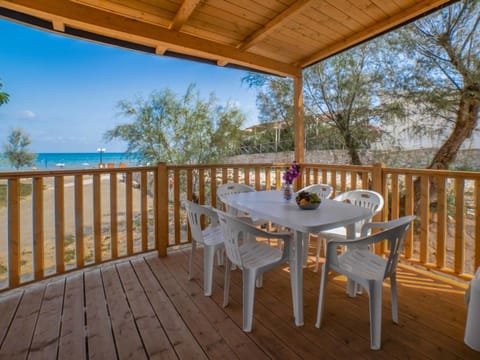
{"points": [[420, 158]]}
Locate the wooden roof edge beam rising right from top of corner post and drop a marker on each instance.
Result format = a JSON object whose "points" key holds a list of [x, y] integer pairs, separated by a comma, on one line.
{"points": [[420, 8]]}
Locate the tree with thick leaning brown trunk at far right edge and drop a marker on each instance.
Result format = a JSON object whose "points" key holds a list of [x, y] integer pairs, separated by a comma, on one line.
{"points": [[444, 74]]}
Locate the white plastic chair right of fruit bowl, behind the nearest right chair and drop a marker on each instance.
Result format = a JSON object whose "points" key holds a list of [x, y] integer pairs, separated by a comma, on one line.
{"points": [[363, 198]]}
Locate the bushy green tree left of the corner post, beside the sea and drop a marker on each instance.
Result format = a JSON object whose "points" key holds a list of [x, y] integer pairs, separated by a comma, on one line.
{"points": [[179, 129]]}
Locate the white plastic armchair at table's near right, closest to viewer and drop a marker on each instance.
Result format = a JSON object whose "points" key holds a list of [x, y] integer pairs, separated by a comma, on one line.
{"points": [[368, 270]]}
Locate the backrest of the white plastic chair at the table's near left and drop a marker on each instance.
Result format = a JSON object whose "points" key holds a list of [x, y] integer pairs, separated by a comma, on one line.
{"points": [[234, 231]]}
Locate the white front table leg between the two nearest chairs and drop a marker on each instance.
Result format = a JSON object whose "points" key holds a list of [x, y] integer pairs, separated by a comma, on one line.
{"points": [[296, 277]]}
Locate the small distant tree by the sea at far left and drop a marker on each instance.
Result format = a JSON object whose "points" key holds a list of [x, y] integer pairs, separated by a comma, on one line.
{"points": [[16, 150]]}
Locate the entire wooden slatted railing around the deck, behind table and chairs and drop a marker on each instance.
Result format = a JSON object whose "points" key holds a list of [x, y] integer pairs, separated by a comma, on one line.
{"points": [[52, 222]]}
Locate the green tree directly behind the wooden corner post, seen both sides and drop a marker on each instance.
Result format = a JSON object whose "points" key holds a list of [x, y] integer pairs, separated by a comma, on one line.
{"points": [[342, 97]]}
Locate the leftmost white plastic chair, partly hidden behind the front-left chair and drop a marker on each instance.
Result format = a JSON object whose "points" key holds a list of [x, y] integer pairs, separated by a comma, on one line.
{"points": [[210, 237]]}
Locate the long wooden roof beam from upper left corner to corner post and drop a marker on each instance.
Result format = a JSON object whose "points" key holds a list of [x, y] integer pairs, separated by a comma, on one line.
{"points": [[108, 24]]}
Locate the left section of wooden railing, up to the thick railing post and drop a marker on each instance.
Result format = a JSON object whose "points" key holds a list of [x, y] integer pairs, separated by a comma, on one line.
{"points": [[57, 221]]}
